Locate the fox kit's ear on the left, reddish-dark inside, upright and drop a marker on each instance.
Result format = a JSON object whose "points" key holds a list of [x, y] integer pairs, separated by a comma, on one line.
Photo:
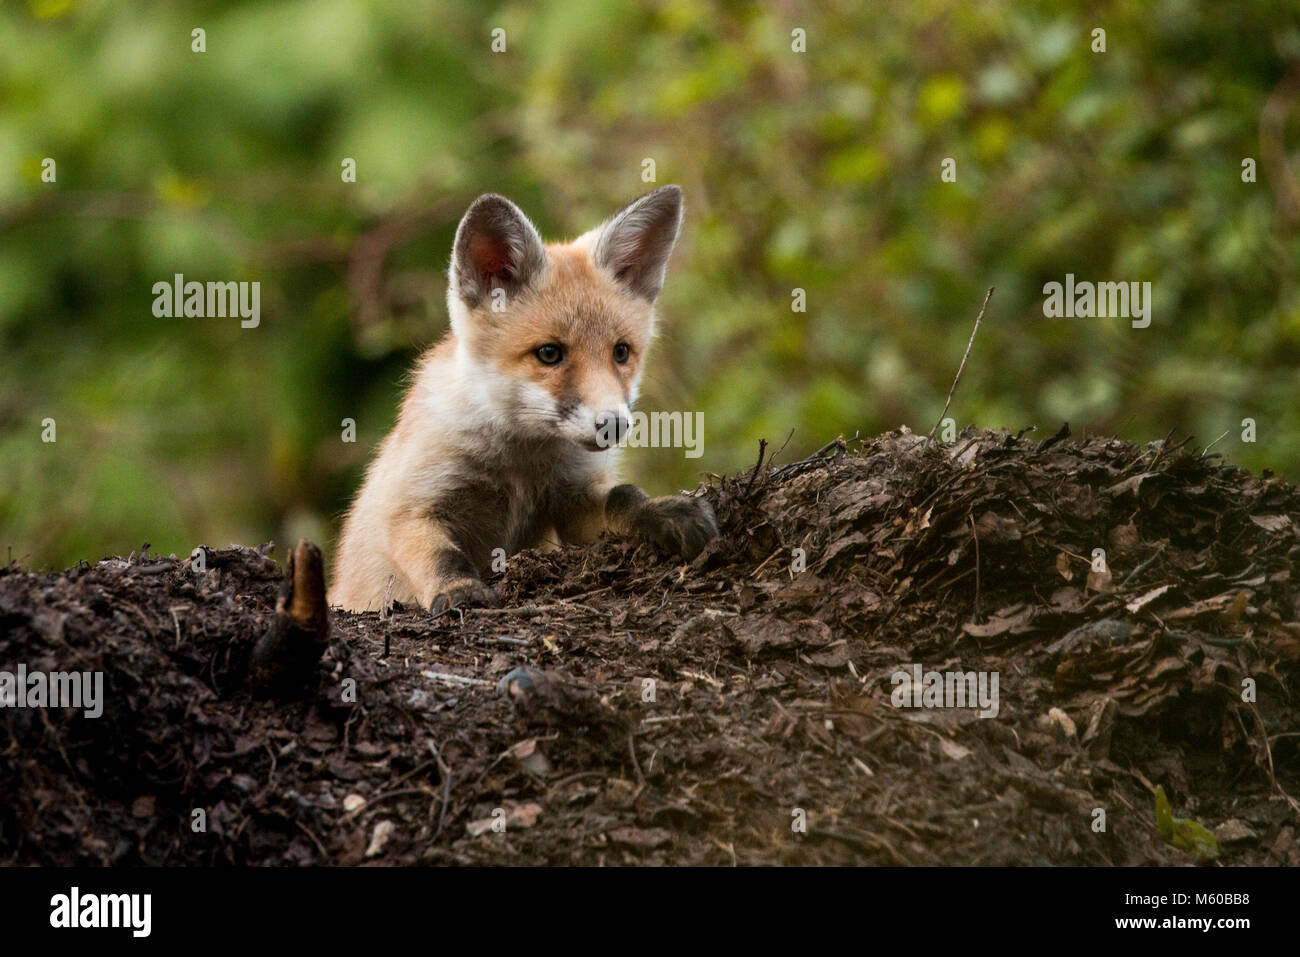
{"points": [[496, 248]]}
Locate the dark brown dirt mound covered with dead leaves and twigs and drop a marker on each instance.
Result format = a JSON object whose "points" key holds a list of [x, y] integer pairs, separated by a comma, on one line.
{"points": [[740, 709]]}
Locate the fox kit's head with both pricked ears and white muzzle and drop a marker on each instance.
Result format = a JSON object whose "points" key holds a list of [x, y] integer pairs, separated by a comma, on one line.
{"points": [[554, 337]]}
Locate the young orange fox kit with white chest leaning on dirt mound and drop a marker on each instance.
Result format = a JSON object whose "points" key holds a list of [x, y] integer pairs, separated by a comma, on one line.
{"points": [[504, 440]]}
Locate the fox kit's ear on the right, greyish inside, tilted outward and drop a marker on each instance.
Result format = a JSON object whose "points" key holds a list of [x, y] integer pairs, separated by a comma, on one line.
{"points": [[635, 243]]}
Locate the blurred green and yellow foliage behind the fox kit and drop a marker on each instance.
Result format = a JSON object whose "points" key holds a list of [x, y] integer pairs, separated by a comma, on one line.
{"points": [[816, 170]]}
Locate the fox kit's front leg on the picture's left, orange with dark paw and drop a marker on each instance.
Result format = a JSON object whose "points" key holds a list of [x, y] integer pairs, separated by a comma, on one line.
{"points": [[441, 575]]}
